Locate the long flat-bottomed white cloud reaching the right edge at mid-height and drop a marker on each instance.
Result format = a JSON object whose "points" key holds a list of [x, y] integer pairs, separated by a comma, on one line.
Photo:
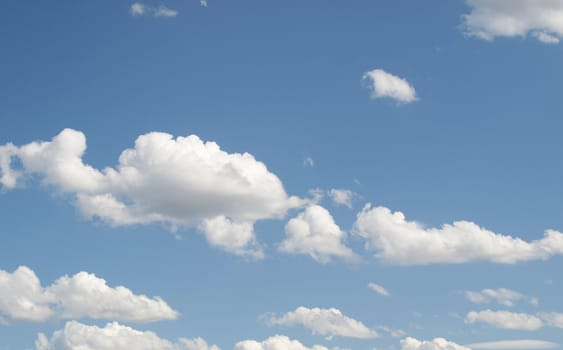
{"points": [[398, 241]]}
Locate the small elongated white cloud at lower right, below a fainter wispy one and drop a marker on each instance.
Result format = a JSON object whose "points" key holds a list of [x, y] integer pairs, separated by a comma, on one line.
{"points": [[505, 319]]}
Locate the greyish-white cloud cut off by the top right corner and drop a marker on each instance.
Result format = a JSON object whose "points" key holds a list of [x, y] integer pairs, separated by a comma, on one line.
{"points": [[499, 18]]}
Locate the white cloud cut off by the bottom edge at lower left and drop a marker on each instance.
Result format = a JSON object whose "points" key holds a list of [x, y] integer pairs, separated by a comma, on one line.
{"points": [[77, 336]]}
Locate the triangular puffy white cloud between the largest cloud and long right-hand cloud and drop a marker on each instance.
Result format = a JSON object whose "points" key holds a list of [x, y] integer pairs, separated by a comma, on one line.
{"points": [[315, 233]]}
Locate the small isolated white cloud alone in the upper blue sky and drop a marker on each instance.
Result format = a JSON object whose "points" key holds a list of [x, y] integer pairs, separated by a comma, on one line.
{"points": [[384, 84]]}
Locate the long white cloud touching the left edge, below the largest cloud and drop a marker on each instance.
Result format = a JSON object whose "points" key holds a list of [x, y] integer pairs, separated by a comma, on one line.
{"points": [[83, 295]]}
